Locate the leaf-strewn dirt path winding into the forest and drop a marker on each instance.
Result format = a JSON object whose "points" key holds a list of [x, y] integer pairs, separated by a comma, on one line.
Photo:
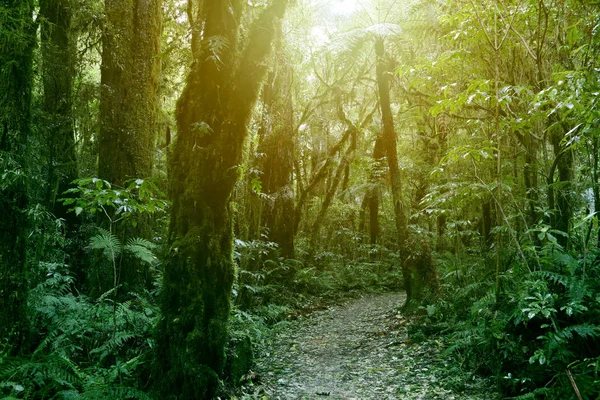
{"points": [[359, 350]]}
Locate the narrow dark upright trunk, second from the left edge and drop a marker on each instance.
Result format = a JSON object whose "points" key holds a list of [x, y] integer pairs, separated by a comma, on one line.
{"points": [[58, 53]]}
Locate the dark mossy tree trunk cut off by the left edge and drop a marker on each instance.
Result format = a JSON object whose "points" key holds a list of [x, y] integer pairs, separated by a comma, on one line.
{"points": [[17, 40]]}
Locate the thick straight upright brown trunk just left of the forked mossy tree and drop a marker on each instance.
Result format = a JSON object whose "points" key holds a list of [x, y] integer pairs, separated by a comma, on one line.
{"points": [[129, 109]]}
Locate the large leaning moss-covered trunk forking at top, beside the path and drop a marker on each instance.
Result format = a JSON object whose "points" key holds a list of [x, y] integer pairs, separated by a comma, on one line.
{"points": [[212, 114]]}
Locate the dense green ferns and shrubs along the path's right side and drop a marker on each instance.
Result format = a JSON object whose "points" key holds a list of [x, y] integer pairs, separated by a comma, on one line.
{"points": [[534, 330]]}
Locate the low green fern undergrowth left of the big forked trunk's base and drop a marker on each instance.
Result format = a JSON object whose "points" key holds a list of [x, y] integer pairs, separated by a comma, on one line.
{"points": [[80, 353]]}
